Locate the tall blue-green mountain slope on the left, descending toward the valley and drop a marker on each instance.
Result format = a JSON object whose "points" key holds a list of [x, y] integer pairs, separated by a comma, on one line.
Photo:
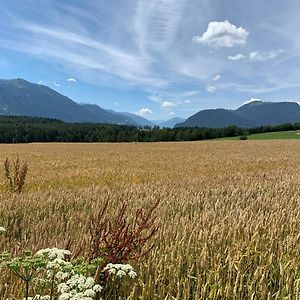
{"points": [[21, 98]]}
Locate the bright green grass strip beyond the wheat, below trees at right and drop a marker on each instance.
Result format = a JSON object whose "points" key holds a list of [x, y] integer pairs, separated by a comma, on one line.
{"points": [[279, 135]]}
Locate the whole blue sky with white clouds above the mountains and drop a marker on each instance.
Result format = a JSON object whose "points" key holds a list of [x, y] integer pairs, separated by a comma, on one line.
{"points": [[156, 58]]}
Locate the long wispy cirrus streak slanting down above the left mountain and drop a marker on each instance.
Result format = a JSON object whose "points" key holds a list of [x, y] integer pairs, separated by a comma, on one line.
{"points": [[83, 51]]}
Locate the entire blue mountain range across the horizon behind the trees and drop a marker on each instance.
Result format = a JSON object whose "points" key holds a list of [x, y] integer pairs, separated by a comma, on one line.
{"points": [[21, 98]]}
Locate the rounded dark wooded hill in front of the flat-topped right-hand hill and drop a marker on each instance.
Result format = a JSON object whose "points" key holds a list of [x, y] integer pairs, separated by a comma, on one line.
{"points": [[215, 118]]}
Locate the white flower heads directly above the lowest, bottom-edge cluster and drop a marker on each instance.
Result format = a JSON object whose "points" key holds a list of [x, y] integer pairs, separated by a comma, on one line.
{"points": [[56, 264]]}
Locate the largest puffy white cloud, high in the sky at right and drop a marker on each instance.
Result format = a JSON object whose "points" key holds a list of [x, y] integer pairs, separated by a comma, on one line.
{"points": [[222, 35]]}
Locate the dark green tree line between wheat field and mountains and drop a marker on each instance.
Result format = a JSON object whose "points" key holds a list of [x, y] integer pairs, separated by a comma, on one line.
{"points": [[15, 129]]}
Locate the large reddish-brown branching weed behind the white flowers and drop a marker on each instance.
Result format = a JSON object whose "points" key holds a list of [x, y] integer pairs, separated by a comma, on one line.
{"points": [[121, 239]]}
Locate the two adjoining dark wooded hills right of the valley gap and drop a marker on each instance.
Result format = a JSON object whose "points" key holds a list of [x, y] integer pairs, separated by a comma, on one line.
{"points": [[253, 114]]}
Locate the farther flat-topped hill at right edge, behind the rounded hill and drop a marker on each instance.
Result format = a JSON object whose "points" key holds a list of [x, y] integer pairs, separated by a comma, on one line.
{"points": [[270, 113]]}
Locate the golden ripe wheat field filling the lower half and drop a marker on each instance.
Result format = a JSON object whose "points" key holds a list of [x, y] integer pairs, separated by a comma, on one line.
{"points": [[229, 212]]}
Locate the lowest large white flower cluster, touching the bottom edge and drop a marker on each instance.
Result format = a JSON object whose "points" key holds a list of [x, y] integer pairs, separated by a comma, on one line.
{"points": [[78, 287]]}
